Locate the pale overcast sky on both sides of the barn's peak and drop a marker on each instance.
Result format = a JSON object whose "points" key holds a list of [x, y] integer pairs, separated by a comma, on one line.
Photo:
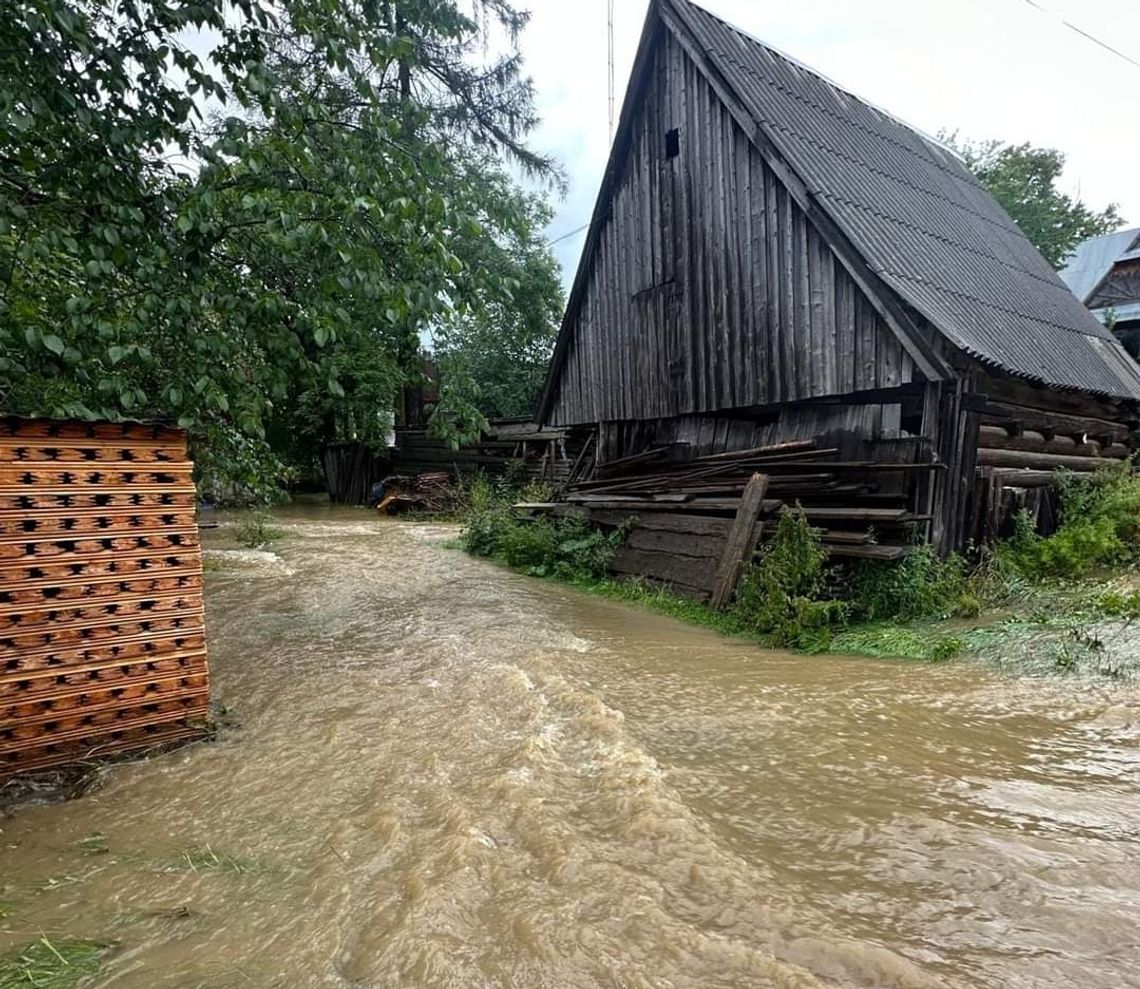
{"points": [[991, 69]]}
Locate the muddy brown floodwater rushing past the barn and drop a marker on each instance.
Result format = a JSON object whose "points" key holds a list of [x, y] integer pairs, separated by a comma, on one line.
{"points": [[438, 774]]}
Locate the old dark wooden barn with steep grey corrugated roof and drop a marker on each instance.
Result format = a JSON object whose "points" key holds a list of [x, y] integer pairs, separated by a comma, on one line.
{"points": [[781, 277]]}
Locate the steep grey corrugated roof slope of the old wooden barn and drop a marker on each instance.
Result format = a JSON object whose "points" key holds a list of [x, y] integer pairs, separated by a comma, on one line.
{"points": [[919, 218]]}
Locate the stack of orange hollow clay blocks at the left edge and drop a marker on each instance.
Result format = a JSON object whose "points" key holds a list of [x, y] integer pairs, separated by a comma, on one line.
{"points": [[102, 634]]}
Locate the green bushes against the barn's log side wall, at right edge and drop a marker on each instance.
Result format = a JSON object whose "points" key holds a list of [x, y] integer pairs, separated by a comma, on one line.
{"points": [[1100, 527]]}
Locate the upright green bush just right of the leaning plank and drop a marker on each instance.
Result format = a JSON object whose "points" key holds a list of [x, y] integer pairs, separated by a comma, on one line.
{"points": [[780, 596]]}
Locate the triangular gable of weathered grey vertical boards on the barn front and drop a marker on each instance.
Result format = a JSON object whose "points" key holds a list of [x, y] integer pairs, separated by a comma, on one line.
{"points": [[710, 289]]}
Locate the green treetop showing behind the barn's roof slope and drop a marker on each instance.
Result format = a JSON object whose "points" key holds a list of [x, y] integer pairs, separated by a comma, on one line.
{"points": [[1023, 179]]}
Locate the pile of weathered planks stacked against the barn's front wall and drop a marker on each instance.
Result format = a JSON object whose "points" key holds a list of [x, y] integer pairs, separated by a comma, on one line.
{"points": [[686, 510]]}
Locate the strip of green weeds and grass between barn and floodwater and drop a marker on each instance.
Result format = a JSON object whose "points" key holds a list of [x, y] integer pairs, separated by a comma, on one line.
{"points": [[792, 598]]}
